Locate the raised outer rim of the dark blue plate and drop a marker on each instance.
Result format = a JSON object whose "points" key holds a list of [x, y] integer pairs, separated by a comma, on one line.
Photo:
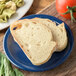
{"points": [[61, 60]]}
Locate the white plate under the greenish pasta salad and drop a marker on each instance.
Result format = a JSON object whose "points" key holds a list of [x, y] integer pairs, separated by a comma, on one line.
{"points": [[19, 13]]}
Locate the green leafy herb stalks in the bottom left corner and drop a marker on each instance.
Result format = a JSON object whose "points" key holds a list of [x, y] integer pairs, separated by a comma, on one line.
{"points": [[6, 67]]}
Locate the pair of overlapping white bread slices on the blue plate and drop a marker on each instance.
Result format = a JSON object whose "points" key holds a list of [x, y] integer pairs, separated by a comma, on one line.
{"points": [[39, 38]]}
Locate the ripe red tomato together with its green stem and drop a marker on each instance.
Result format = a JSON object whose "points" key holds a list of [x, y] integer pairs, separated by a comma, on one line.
{"points": [[67, 9]]}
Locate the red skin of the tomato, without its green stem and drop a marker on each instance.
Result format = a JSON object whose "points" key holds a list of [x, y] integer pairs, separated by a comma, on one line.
{"points": [[61, 6]]}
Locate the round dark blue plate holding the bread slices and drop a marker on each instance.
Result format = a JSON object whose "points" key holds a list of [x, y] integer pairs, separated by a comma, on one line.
{"points": [[18, 58]]}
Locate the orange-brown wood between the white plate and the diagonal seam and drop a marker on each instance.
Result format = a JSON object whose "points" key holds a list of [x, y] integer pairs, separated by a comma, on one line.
{"points": [[38, 5]]}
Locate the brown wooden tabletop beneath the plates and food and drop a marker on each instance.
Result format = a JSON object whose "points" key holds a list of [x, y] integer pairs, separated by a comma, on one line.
{"points": [[68, 68]]}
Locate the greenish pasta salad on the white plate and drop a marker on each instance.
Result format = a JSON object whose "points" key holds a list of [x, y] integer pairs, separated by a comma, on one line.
{"points": [[8, 8]]}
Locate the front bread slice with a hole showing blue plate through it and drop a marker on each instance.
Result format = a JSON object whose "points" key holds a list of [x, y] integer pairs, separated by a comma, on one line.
{"points": [[35, 39]]}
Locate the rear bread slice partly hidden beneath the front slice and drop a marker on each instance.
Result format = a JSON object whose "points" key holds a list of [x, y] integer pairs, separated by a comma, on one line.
{"points": [[59, 32]]}
